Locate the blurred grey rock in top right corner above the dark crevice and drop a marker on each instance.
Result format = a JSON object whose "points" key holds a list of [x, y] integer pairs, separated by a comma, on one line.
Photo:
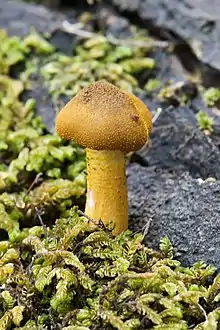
{"points": [[195, 21]]}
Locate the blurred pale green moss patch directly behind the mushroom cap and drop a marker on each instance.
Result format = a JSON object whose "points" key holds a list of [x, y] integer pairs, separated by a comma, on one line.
{"points": [[94, 59]]}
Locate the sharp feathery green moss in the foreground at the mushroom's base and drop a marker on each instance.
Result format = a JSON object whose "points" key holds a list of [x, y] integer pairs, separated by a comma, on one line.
{"points": [[82, 278]]}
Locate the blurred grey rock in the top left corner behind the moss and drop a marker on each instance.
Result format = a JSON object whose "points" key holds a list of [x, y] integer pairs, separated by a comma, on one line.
{"points": [[18, 18]]}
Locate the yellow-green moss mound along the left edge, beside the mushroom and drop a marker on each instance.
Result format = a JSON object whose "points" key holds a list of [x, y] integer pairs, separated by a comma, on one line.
{"points": [[32, 161]]}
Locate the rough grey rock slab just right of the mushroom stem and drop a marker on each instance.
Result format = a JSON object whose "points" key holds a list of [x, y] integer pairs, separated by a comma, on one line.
{"points": [[186, 210]]}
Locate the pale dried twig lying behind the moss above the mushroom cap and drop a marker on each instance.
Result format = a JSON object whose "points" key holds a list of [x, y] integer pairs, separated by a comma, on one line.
{"points": [[77, 29]]}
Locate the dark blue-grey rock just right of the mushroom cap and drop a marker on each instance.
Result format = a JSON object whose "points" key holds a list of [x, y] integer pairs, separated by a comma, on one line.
{"points": [[177, 144]]}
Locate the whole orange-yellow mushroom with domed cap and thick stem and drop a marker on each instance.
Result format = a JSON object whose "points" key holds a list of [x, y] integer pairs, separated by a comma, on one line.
{"points": [[109, 123]]}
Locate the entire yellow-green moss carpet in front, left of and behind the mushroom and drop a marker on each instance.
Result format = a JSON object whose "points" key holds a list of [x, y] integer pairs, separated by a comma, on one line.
{"points": [[55, 271]]}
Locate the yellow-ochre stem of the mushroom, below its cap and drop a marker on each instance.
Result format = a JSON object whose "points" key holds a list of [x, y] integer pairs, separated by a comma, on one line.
{"points": [[107, 188]]}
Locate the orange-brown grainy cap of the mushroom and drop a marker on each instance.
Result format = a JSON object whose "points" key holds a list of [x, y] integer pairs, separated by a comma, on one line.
{"points": [[102, 117]]}
